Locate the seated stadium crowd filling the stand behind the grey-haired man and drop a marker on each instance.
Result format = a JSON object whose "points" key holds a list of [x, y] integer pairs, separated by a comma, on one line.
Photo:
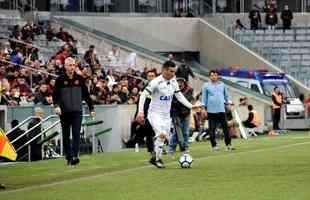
{"points": [[26, 79]]}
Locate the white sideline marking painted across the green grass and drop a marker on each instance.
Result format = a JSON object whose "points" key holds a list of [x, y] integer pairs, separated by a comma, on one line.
{"points": [[142, 167]]}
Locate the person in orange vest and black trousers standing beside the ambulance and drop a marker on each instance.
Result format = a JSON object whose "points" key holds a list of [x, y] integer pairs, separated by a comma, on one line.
{"points": [[277, 101]]}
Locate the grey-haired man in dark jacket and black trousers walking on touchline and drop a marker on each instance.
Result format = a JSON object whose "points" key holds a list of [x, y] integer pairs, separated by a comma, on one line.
{"points": [[69, 92]]}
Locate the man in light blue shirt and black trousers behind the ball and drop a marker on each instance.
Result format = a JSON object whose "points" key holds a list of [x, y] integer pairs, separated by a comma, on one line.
{"points": [[214, 99]]}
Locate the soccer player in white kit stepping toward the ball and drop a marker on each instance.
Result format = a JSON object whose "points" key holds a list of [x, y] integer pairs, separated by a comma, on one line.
{"points": [[162, 89]]}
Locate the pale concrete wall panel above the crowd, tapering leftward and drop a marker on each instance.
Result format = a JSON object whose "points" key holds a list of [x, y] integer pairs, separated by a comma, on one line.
{"points": [[154, 33]]}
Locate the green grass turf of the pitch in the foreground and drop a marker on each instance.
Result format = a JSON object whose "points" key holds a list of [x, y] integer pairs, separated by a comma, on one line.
{"points": [[261, 168]]}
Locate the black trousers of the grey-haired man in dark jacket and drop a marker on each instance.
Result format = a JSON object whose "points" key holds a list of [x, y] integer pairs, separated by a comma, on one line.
{"points": [[71, 120]]}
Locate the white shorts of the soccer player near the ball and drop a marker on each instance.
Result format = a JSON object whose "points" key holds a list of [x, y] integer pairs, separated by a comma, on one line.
{"points": [[159, 124]]}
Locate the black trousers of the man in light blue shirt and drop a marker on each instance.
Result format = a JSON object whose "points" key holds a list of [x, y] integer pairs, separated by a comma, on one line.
{"points": [[215, 119]]}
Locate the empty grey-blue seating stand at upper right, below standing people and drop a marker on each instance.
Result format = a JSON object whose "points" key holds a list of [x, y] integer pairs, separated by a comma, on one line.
{"points": [[288, 49]]}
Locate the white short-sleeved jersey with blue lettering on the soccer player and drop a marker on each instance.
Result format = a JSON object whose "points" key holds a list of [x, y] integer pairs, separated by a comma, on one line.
{"points": [[162, 92]]}
